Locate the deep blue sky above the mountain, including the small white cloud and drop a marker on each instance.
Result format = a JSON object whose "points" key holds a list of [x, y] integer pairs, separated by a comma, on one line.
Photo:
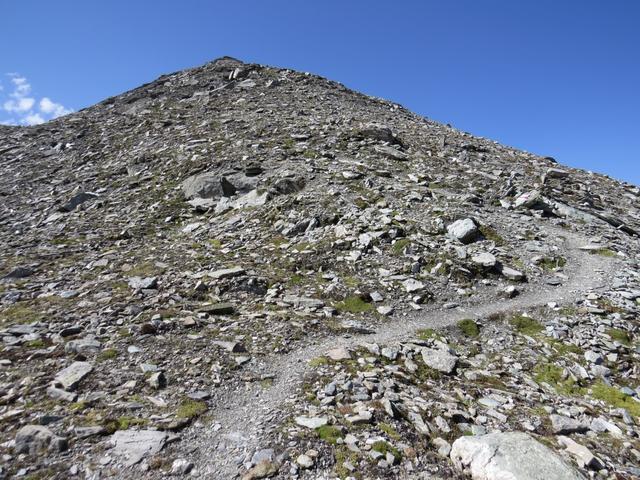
{"points": [[554, 77]]}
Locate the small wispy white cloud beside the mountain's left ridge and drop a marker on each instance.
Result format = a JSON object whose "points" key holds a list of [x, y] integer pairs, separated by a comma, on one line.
{"points": [[24, 108]]}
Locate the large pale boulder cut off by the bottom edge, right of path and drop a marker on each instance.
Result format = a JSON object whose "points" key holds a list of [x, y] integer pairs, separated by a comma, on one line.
{"points": [[509, 456]]}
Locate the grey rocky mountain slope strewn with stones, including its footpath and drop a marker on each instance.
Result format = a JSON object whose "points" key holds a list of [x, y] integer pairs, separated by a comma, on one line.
{"points": [[238, 270]]}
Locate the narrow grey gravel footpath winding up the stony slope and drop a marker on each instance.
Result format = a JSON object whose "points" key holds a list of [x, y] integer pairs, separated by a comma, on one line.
{"points": [[242, 414]]}
